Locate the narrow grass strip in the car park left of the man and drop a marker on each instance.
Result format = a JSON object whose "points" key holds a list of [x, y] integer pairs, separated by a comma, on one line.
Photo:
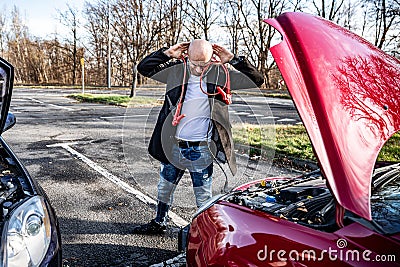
{"points": [[118, 100]]}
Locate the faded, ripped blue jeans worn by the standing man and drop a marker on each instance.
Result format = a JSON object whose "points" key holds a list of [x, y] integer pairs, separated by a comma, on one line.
{"points": [[198, 160]]}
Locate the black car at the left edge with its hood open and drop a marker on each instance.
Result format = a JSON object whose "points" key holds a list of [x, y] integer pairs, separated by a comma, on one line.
{"points": [[30, 231]]}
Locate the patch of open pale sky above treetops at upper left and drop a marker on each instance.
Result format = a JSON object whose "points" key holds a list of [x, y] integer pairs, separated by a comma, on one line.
{"points": [[41, 15]]}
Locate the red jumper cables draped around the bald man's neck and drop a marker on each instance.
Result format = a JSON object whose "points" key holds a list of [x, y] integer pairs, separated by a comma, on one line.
{"points": [[226, 94]]}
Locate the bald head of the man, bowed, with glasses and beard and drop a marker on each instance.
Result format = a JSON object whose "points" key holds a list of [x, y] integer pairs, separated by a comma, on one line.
{"points": [[200, 53]]}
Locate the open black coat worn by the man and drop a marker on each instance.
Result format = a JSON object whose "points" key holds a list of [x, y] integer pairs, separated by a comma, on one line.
{"points": [[160, 67]]}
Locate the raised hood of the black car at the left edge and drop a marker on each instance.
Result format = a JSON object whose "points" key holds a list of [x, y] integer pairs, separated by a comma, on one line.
{"points": [[6, 85]]}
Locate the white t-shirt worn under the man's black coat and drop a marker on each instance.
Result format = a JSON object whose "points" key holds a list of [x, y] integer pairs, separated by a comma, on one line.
{"points": [[196, 125]]}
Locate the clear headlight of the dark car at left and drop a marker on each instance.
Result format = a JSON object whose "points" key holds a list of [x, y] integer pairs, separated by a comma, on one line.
{"points": [[26, 235]]}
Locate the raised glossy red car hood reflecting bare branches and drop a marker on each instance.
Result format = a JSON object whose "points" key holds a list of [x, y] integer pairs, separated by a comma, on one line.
{"points": [[347, 93]]}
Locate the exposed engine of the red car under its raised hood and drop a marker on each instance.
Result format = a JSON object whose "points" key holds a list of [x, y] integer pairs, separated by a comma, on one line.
{"points": [[304, 200]]}
